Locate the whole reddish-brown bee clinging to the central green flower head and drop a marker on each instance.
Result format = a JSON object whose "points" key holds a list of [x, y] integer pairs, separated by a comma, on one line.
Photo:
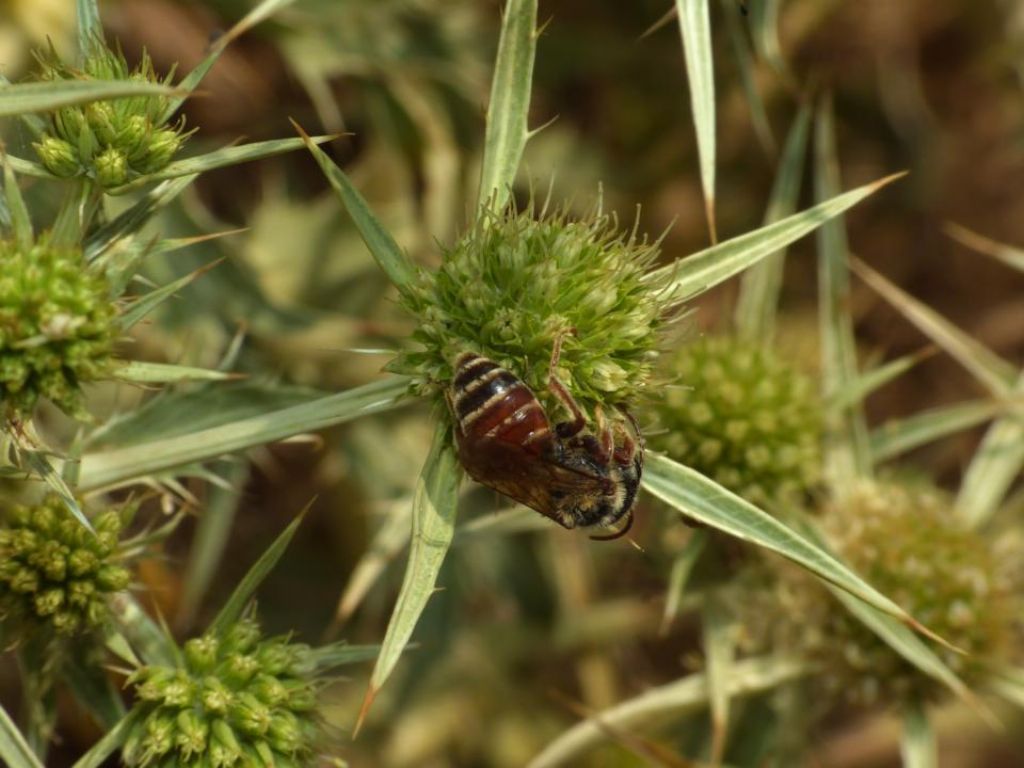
{"points": [[507, 443]]}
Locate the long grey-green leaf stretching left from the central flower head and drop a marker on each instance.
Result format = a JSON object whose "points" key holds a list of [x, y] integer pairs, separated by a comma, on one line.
{"points": [[134, 463]]}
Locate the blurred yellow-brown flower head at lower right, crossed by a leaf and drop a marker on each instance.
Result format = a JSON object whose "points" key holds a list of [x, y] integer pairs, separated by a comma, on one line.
{"points": [[907, 543]]}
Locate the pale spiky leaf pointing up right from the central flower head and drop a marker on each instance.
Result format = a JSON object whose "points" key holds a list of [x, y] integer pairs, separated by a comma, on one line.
{"points": [[695, 275]]}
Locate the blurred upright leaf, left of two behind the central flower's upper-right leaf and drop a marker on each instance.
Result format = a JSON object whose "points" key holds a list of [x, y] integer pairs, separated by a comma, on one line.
{"points": [[761, 285]]}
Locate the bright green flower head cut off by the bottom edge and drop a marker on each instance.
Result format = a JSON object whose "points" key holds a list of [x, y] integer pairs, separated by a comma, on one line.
{"points": [[236, 701]]}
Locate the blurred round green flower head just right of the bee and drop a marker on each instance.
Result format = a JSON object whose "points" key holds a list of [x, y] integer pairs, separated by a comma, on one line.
{"points": [[744, 417]]}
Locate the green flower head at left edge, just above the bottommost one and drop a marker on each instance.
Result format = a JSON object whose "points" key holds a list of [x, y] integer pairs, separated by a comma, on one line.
{"points": [[56, 575]]}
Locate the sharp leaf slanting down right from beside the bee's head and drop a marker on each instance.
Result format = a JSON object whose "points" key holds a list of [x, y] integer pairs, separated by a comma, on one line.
{"points": [[705, 501]]}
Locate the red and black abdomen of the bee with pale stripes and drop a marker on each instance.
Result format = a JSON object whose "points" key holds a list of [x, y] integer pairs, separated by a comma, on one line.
{"points": [[491, 402]]}
